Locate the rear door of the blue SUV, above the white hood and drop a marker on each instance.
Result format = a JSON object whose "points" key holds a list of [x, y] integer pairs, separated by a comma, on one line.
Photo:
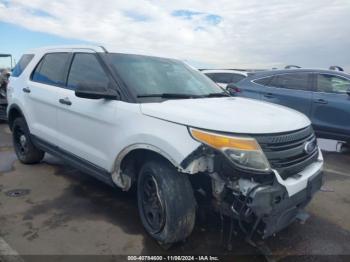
{"points": [[293, 90]]}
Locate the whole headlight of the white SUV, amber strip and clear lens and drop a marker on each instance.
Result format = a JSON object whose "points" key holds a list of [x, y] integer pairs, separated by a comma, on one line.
{"points": [[244, 152]]}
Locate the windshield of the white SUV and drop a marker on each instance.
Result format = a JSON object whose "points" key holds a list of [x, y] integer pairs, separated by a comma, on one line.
{"points": [[149, 77]]}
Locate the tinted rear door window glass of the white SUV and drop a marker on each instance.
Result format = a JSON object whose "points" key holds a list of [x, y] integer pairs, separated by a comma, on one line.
{"points": [[52, 69]]}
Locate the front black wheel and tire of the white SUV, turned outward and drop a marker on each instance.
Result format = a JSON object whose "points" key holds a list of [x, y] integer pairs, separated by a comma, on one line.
{"points": [[176, 203]]}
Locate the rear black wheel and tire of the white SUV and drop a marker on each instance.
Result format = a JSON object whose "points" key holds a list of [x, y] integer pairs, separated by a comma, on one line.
{"points": [[25, 150]]}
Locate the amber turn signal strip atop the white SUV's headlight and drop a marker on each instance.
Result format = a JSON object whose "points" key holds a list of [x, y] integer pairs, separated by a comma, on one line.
{"points": [[221, 142]]}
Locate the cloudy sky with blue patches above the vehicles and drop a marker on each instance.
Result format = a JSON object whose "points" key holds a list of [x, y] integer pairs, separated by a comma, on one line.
{"points": [[205, 33]]}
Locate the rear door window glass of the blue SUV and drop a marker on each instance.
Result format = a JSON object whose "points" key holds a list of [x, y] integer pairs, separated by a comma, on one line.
{"points": [[298, 81]]}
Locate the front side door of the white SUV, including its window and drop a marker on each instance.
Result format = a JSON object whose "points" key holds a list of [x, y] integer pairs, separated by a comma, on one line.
{"points": [[86, 126]]}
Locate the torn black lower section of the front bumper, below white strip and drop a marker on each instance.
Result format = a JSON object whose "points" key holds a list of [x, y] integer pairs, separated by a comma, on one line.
{"points": [[271, 208]]}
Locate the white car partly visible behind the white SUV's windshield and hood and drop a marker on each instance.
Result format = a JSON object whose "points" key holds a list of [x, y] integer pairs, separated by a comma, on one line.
{"points": [[225, 77]]}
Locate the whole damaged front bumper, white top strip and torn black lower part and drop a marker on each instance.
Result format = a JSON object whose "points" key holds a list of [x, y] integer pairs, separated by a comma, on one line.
{"points": [[268, 208]]}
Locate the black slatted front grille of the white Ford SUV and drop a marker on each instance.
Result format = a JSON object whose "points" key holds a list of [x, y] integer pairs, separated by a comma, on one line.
{"points": [[286, 152]]}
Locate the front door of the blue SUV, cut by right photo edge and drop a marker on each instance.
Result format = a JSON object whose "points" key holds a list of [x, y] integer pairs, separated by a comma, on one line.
{"points": [[331, 106]]}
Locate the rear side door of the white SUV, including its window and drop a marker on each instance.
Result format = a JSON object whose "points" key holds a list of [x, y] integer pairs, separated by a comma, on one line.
{"points": [[40, 93]]}
